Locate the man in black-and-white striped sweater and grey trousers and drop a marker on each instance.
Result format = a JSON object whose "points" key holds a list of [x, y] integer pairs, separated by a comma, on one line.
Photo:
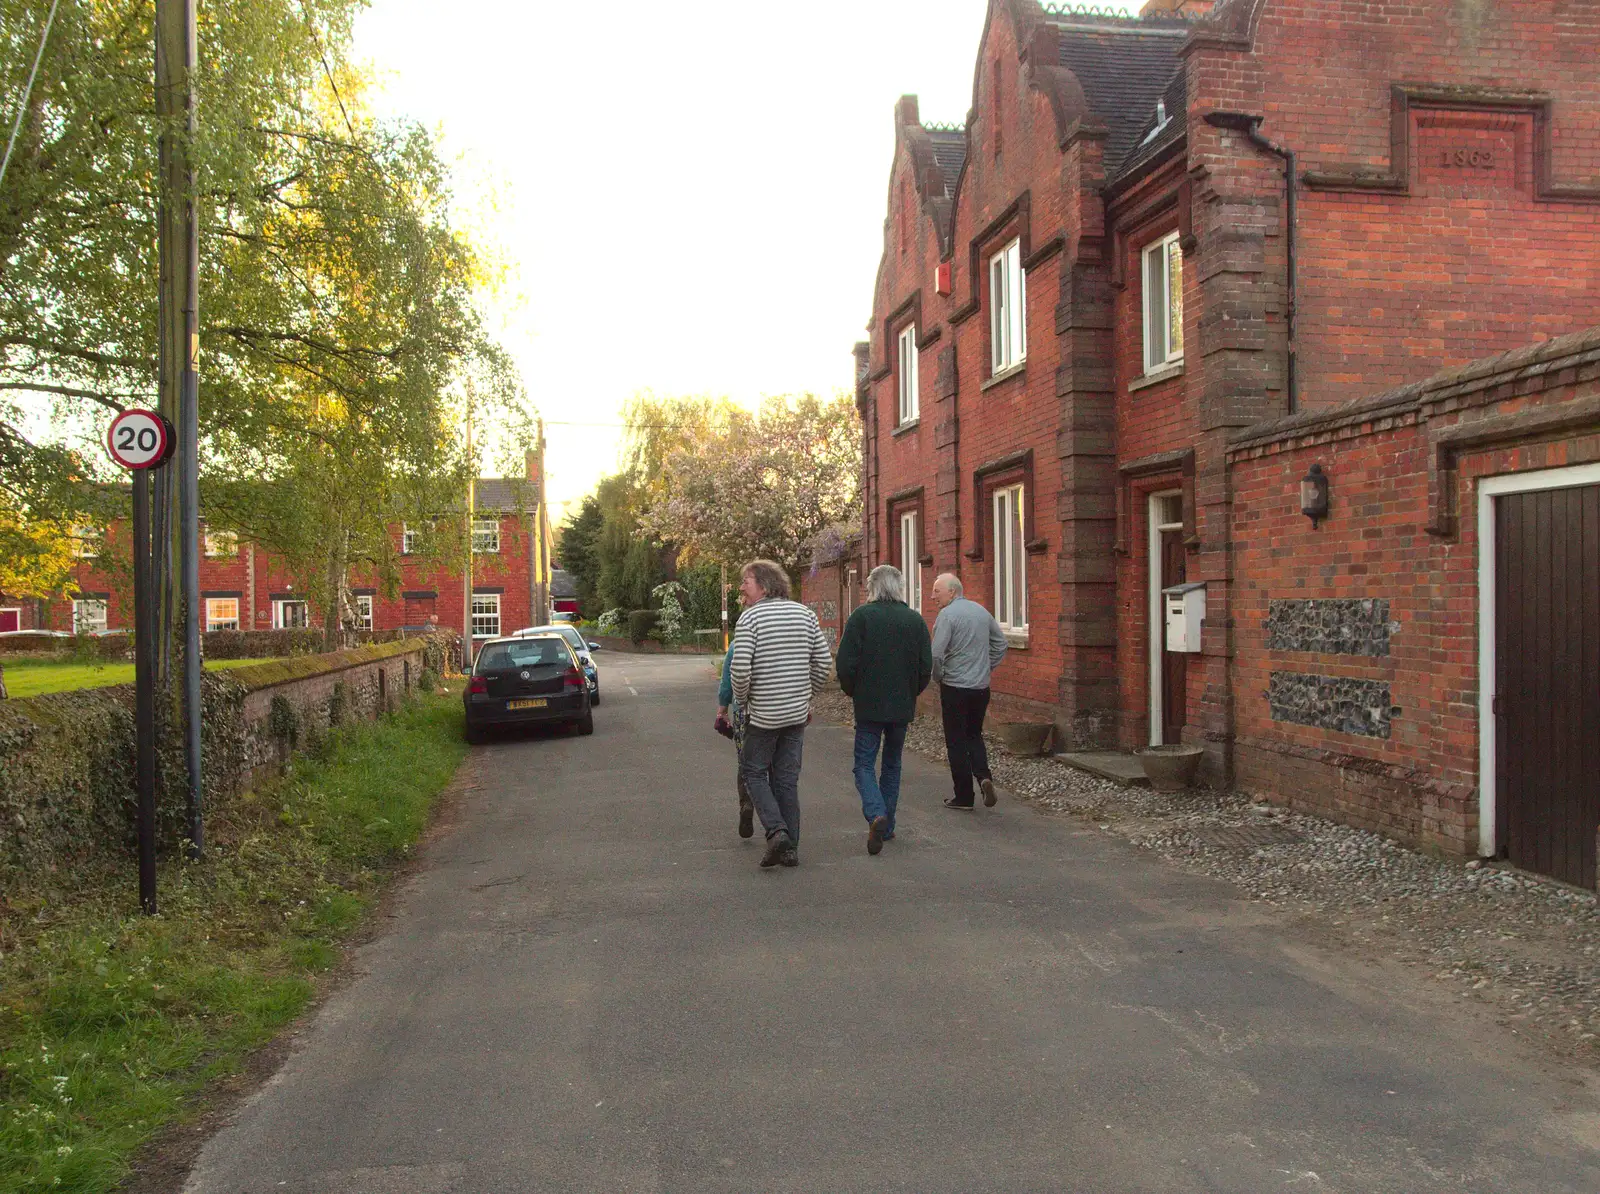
{"points": [[780, 660]]}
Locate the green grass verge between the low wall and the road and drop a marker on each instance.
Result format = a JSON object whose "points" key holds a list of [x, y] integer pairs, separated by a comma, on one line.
{"points": [[113, 1022]]}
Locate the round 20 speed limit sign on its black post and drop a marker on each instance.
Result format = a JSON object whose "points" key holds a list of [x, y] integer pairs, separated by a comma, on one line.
{"points": [[143, 441]]}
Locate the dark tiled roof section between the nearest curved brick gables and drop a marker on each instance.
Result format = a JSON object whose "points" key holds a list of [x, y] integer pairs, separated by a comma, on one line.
{"points": [[1124, 66]]}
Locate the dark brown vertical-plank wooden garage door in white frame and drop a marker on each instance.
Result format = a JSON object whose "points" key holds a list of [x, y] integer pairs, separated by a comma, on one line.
{"points": [[1548, 681]]}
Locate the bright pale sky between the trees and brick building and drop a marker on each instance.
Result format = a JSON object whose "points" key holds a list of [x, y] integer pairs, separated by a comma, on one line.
{"points": [[687, 196]]}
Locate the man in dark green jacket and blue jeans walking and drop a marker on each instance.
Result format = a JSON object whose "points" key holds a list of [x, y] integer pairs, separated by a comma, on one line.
{"points": [[886, 659]]}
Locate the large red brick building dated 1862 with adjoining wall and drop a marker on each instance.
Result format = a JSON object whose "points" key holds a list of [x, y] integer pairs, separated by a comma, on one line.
{"points": [[1166, 249]]}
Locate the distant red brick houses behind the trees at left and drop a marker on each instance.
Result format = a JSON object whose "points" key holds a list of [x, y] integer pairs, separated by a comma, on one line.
{"points": [[244, 588]]}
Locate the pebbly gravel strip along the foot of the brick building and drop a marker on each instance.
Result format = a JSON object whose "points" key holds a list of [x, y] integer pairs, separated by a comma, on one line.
{"points": [[1529, 948]]}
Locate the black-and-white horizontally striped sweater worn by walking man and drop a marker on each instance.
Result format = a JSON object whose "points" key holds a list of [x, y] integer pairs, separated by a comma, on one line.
{"points": [[780, 659]]}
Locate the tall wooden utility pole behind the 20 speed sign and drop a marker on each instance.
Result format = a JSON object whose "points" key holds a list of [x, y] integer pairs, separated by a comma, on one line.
{"points": [[180, 351]]}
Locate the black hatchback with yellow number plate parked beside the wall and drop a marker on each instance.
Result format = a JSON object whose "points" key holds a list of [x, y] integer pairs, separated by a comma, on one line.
{"points": [[524, 683]]}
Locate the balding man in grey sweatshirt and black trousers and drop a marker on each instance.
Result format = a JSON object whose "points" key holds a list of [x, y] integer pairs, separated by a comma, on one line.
{"points": [[967, 646]]}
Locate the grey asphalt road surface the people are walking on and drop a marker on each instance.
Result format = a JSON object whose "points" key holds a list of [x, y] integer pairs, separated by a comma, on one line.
{"points": [[593, 987]]}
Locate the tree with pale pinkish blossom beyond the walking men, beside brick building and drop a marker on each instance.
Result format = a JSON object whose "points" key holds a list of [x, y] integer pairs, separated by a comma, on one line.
{"points": [[762, 486]]}
